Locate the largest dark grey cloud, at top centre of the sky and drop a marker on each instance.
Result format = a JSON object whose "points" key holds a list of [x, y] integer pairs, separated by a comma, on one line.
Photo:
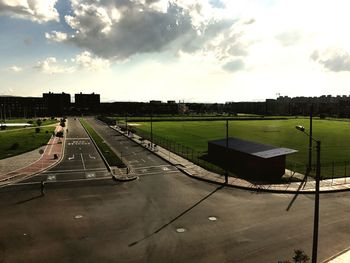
{"points": [[120, 29]]}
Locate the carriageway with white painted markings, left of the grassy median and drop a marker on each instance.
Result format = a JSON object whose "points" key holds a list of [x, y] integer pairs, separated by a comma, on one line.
{"points": [[80, 161]]}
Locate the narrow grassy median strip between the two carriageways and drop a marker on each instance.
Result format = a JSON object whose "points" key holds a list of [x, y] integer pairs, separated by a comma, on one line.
{"points": [[111, 158]]}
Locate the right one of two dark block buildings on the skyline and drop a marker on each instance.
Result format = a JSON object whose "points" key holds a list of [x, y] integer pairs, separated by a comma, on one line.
{"points": [[88, 103]]}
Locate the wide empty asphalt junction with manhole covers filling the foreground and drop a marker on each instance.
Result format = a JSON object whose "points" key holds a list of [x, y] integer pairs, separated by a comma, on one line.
{"points": [[163, 217]]}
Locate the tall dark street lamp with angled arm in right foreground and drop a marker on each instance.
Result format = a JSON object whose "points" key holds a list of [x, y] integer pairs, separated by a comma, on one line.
{"points": [[317, 194]]}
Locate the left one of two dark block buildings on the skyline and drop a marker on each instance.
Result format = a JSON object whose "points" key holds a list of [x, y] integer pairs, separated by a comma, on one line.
{"points": [[58, 104]]}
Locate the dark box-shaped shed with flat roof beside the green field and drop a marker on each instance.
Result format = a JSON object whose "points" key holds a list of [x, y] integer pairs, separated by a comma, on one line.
{"points": [[249, 158]]}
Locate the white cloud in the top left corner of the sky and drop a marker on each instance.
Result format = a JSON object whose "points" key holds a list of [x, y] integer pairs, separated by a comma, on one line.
{"points": [[36, 10]]}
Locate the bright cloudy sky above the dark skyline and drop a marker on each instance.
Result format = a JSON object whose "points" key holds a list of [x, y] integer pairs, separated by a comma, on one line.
{"points": [[188, 50]]}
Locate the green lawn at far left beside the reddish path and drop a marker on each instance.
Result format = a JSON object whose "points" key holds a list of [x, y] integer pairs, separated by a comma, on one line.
{"points": [[14, 141]]}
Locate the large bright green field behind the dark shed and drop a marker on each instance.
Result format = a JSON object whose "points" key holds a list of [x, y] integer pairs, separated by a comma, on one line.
{"points": [[334, 136]]}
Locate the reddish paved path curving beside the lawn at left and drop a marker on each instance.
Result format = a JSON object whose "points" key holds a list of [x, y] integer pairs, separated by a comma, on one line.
{"points": [[46, 160]]}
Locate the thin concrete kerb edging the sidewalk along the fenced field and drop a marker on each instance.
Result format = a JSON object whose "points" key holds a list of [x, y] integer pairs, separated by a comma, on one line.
{"points": [[254, 188]]}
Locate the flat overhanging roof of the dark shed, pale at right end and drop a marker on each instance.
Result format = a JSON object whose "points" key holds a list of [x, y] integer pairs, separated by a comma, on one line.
{"points": [[253, 148]]}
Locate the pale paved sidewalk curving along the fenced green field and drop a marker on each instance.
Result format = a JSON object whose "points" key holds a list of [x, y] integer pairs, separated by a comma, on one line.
{"points": [[195, 171]]}
